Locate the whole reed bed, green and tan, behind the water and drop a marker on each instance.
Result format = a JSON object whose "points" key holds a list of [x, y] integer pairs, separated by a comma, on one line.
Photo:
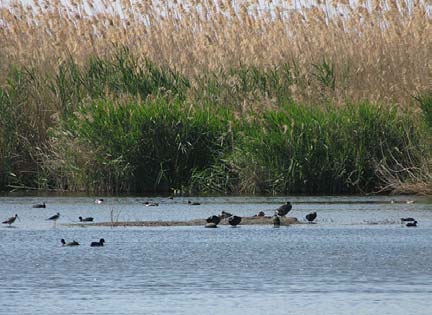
{"points": [[242, 117]]}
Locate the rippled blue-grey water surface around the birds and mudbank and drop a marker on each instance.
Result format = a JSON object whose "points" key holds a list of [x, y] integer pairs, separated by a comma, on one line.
{"points": [[357, 259]]}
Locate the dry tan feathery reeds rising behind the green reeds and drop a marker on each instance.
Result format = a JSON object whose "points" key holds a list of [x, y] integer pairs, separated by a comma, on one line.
{"points": [[383, 52]]}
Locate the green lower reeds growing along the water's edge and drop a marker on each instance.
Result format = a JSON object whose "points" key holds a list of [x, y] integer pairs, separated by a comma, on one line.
{"points": [[123, 124]]}
